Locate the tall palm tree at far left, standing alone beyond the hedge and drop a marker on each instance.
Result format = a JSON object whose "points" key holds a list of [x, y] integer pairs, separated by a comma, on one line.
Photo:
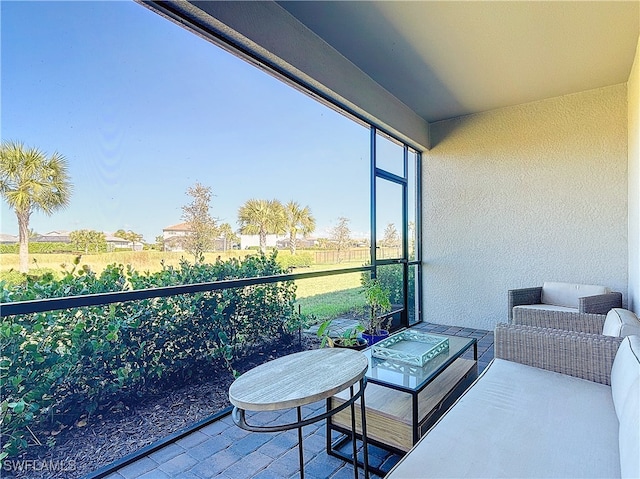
{"points": [[29, 181]]}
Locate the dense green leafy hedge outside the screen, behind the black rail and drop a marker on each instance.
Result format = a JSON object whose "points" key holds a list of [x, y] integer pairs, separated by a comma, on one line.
{"points": [[59, 365]]}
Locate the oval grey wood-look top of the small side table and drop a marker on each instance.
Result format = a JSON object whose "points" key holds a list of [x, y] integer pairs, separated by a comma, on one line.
{"points": [[298, 379]]}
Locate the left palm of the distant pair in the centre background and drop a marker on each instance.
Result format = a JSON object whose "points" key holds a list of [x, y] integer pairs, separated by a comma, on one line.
{"points": [[262, 217]]}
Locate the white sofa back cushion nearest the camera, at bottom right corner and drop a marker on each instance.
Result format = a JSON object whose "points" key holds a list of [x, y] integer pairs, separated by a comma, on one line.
{"points": [[629, 439]]}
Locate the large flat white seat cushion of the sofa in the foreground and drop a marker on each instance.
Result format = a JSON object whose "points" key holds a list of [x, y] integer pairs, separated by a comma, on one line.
{"points": [[521, 421]]}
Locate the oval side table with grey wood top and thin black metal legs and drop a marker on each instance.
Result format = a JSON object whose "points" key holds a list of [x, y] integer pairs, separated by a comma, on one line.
{"points": [[299, 379]]}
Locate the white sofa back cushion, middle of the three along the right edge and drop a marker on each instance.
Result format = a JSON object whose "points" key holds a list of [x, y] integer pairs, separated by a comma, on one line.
{"points": [[625, 371]]}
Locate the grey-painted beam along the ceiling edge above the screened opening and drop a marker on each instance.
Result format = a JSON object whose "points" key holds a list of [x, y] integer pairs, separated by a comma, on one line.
{"points": [[267, 35]]}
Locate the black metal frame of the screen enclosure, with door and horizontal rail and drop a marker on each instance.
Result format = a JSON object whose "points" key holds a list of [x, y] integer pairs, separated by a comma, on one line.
{"points": [[181, 17]]}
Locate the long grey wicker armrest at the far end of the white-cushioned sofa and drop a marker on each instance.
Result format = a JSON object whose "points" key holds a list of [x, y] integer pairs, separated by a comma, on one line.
{"points": [[582, 355]]}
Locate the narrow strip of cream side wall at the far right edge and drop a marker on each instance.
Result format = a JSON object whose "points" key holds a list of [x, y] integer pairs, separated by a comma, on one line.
{"points": [[633, 89]]}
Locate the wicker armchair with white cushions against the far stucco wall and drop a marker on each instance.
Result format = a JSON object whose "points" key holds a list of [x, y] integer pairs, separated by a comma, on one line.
{"points": [[555, 300]]}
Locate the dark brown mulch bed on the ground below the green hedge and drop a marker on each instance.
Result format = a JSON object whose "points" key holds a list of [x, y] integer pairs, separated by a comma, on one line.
{"points": [[122, 429]]}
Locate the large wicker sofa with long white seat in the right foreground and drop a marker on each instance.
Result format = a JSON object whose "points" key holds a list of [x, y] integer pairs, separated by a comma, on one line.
{"points": [[551, 404]]}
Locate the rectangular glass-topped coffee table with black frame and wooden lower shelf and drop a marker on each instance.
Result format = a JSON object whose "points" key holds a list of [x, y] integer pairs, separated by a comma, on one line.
{"points": [[403, 401]]}
